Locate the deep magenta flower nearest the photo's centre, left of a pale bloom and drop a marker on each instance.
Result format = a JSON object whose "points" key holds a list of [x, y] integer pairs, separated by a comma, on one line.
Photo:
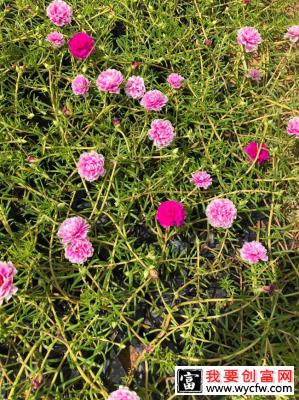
{"points": [[171, 213]]}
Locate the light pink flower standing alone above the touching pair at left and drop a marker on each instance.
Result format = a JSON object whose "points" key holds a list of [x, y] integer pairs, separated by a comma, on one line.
{"points": [[91, 166]]}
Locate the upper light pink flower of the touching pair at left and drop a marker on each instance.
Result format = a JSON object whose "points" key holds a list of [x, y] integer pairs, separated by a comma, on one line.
{"points": [[73, 228]]}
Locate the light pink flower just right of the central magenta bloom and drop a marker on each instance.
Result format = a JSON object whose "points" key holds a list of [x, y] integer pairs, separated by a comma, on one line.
{"points": [[221, 213]]}
